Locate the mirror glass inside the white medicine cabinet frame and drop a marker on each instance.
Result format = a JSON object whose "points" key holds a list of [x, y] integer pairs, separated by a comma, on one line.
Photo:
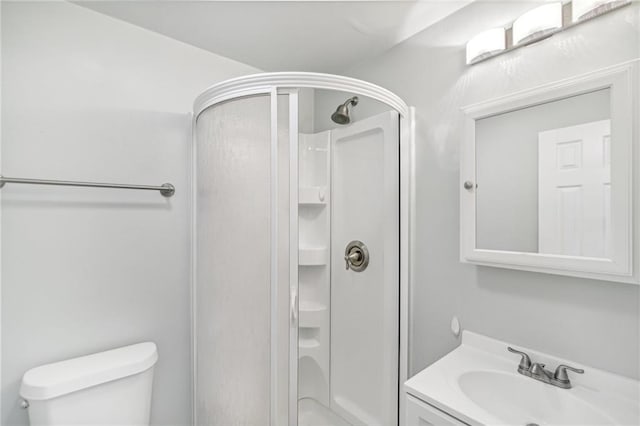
{"points": [[543, 178]]}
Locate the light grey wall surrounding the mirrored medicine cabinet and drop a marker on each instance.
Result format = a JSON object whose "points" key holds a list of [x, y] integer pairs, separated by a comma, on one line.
{"points": [[592, 322]]}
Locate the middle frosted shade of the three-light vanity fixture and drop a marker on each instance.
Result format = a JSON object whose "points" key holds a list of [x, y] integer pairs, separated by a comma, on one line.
{"points": [[537, 24]]}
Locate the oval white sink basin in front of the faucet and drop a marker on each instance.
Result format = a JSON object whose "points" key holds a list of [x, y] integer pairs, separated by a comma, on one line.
{"points": [[519, 400]]}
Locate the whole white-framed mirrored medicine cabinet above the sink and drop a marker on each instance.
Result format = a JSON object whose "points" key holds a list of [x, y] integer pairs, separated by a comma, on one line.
{"points": [[546, 178]]}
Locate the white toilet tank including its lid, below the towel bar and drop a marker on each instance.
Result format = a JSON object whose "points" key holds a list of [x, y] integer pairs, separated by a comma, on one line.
{"points": [[106, 388]]}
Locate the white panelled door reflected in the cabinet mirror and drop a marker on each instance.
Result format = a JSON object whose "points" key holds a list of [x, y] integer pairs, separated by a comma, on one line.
{"points": [[575, 190]]}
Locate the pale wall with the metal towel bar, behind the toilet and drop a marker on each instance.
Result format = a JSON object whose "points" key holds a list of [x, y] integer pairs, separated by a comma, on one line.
{"points": [[88, 97]]}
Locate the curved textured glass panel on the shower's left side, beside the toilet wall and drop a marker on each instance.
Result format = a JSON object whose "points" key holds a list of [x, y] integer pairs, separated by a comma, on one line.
{"points": [[233, 296]]}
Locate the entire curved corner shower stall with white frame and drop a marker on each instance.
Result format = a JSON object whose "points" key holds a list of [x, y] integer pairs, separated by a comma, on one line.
{"points": [[301, 251]]}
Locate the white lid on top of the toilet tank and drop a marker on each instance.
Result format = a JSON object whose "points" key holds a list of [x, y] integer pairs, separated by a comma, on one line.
{"points": [[60, 378]]}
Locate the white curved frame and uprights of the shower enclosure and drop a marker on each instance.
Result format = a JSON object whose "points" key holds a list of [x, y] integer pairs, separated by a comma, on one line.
{"points": [[288, 83]]}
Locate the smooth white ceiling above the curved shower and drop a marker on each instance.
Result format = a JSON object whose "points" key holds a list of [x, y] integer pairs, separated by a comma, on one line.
{"points": [[321, 36]]}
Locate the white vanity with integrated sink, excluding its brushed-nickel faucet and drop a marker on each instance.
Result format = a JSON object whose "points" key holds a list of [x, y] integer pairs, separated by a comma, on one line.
{"points": [[478, 383]]}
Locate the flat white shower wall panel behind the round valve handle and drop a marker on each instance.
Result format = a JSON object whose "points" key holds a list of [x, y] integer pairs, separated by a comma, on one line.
{"points": [[365, 305]]}
